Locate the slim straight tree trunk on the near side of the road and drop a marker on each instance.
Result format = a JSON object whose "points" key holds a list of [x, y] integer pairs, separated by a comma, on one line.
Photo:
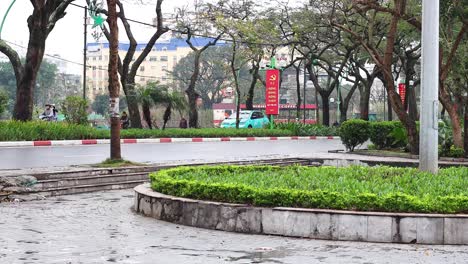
{"points": [[114, 88]]}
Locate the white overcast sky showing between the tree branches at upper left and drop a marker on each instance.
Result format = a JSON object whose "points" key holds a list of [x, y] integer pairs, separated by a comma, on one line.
{"points": [[67, 37]]}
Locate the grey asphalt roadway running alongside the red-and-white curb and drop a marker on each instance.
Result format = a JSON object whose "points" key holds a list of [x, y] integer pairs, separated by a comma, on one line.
{"points": [[35, 157]]}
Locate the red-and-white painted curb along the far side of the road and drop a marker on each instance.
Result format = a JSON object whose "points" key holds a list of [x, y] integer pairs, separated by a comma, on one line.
{"points": [[43, 143]]}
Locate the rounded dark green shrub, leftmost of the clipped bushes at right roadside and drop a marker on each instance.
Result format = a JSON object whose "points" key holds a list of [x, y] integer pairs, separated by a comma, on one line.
{"points": [[354, 133]]}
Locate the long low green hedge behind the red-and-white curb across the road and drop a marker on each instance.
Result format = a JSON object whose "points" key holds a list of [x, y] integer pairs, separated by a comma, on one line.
{"points": [[20, 131]]}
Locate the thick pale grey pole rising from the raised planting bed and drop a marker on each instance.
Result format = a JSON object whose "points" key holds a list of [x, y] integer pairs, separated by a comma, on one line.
{"points": [[428, 158]]}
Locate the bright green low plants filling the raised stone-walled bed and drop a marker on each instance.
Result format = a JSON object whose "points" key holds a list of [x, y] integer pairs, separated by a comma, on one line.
{"points": [[354, 188]]}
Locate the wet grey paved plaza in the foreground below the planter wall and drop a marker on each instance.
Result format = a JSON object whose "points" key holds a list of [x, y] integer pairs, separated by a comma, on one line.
{"points": [[101, 228]]}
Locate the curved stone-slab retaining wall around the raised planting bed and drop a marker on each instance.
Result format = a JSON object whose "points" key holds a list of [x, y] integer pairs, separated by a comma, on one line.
{"points": [[308, 223]]}
